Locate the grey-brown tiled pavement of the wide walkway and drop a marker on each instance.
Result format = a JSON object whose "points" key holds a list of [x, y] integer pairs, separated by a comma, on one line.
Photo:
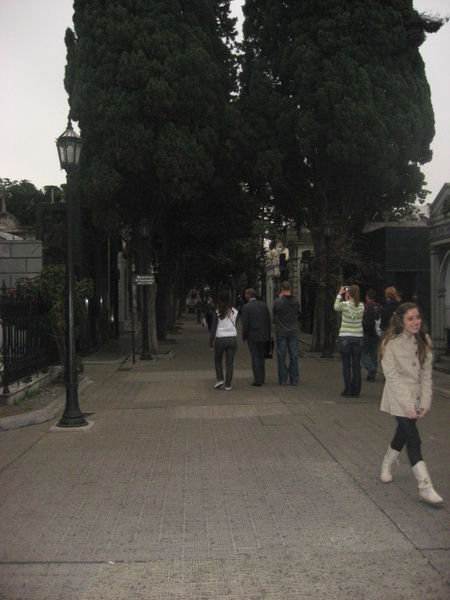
{"points": [[179, 491]]}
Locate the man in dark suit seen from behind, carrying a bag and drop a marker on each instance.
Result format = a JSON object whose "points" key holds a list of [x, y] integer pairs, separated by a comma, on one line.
{"points": [[256, 329]]}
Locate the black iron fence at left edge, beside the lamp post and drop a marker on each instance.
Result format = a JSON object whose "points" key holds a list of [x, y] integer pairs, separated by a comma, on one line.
{"points": [[25, 345]]}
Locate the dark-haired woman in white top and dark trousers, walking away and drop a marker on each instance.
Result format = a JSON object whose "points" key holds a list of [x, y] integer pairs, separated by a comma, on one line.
{"points": [[223, 340]]}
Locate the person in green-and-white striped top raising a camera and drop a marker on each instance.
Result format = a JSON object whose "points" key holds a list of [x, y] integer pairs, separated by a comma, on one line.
{"points": [[350, 338]]}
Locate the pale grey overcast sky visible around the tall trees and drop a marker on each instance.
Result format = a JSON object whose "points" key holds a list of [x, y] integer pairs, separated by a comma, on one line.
{"points": [[34, 108]]}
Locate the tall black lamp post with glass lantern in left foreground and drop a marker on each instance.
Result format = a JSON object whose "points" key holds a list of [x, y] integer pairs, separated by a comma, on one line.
{"points": [[69, 148]]}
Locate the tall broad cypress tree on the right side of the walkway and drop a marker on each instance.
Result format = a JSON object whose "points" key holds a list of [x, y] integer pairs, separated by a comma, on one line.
{"points": [[339, 108]]}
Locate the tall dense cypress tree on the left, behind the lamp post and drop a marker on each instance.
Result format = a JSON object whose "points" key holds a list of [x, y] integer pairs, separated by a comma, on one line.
{"points": [[149, 82]]}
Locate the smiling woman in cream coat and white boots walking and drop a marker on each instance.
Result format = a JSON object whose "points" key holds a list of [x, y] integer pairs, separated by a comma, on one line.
{"points": [[406, 358]]}
